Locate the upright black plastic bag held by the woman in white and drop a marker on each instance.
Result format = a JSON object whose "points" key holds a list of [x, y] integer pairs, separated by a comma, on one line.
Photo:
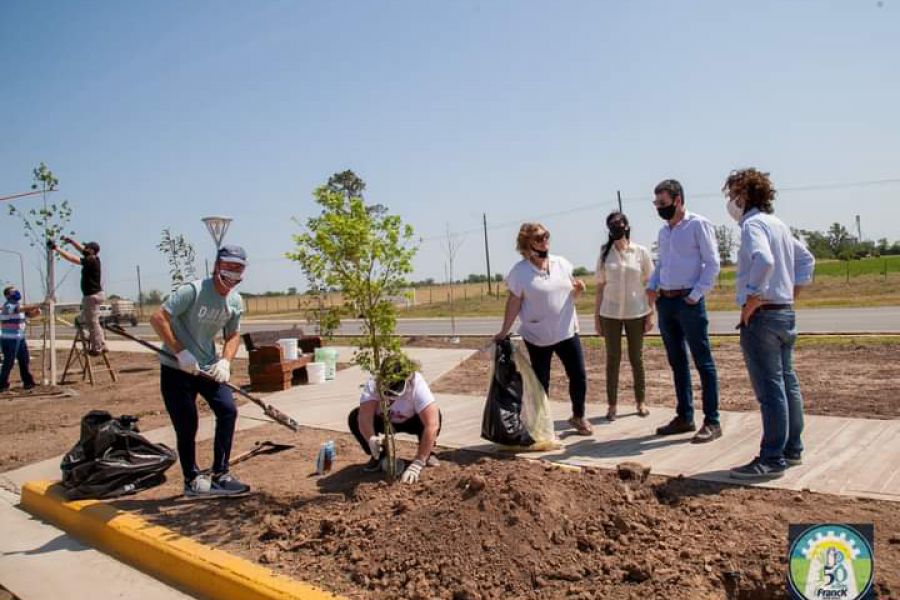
{"points": [[502, 422]]}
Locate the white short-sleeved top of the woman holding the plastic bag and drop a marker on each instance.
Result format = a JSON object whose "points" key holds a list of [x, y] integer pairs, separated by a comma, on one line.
{"points": [[547, 315]]}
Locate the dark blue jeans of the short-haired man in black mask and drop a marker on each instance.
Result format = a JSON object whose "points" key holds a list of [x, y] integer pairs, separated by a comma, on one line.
{"points": [[684, 326]]}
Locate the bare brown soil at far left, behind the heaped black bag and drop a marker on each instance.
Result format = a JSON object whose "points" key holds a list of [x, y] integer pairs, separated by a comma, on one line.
{"points": [[41, 423]]}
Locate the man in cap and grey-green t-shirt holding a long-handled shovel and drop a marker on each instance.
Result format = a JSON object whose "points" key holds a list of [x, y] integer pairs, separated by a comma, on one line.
{"points": [[187, 323]]}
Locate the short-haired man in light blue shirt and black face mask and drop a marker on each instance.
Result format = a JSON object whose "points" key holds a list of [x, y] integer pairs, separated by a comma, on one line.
{"points": [[686, 269]]}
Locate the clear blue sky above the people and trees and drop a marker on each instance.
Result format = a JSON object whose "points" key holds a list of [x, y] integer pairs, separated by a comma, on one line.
{"points": [[154, 114]]}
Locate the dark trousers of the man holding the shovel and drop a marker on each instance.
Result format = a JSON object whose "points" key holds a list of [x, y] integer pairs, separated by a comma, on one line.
{"points": [[179, 391]]}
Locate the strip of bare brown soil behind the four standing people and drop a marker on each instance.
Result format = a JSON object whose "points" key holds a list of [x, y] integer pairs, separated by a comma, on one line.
{"points": [[852, 380]]}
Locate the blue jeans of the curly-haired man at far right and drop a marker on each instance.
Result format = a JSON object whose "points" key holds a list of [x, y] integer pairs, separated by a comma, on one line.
{"points": [[768, 346]]}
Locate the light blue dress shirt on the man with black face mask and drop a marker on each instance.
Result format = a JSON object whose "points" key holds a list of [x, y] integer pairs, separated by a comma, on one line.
{"points": [[688, 257]]}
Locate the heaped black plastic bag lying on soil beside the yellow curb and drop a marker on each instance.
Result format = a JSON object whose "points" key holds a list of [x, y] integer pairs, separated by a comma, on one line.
{"points": [[112, 459]]}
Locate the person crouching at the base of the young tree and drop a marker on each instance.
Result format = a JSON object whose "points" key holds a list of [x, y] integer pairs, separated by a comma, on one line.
{"points": [[412, 408]]}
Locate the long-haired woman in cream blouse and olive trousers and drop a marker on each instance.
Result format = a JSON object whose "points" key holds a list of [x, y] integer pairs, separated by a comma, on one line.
{"points": [[622, 272]]}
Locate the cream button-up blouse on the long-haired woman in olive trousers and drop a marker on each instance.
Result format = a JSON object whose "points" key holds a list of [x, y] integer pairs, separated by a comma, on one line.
{"points": [[624, 276]]}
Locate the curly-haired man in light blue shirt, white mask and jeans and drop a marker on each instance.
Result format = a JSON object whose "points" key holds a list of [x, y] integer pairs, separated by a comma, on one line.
{"points": [[771, 264]]}
